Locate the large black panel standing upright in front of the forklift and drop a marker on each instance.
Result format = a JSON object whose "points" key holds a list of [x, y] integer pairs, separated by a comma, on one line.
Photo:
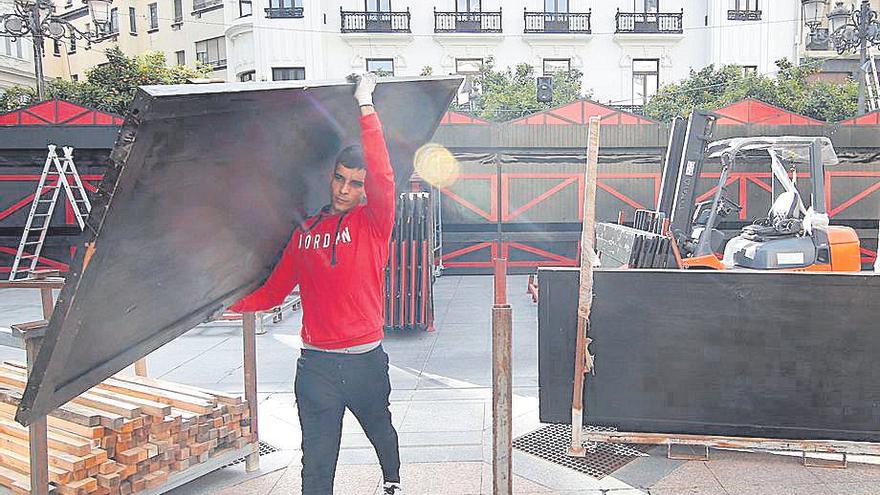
{"points": [[780, 355]]}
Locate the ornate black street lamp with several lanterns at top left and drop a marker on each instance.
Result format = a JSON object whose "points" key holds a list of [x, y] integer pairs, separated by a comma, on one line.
{"points": [[34, 18]]}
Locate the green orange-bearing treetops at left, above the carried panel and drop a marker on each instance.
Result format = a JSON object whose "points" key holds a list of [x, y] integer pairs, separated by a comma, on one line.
{"points": [[111, 86]]}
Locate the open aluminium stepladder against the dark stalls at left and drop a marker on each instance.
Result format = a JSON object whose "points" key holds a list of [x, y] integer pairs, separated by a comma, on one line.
{"points": [[57, 174]]}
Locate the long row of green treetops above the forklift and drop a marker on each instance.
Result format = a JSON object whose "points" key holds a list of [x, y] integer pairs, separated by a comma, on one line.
{"points": [[794, 88]]}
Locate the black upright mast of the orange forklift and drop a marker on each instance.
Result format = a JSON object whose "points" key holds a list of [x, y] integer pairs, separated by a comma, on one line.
{"points": [[686, 172]]}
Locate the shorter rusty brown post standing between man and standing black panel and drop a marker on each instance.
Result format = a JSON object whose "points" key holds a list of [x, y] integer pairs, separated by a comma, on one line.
{"points": [[502, 386]]}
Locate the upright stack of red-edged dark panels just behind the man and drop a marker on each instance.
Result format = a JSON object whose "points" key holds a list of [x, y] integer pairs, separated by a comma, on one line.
{"points": [[409, 275]]}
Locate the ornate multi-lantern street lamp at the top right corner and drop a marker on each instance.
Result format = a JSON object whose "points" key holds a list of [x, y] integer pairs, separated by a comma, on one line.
{"points": [[851, 30]]}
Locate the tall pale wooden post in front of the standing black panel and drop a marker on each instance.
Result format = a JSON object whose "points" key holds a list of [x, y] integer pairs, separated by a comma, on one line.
{"points": [[582, 359]]}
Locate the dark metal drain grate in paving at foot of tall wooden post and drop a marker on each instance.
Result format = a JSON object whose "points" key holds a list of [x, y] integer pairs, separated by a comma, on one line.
{"points": [[551, 443]]}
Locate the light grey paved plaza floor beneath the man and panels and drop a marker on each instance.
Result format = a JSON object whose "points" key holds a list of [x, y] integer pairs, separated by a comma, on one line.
{"points": [[441, 406]]}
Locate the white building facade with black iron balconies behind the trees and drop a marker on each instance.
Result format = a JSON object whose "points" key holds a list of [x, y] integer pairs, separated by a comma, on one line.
{"points": [[625, 49]]}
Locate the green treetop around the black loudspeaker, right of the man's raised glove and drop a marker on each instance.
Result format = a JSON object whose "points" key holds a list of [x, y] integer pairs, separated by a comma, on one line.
{"points": [[500, 95]]}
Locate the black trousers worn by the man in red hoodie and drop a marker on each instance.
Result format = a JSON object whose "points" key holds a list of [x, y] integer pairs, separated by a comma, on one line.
{"points": [[327, 383]]}
